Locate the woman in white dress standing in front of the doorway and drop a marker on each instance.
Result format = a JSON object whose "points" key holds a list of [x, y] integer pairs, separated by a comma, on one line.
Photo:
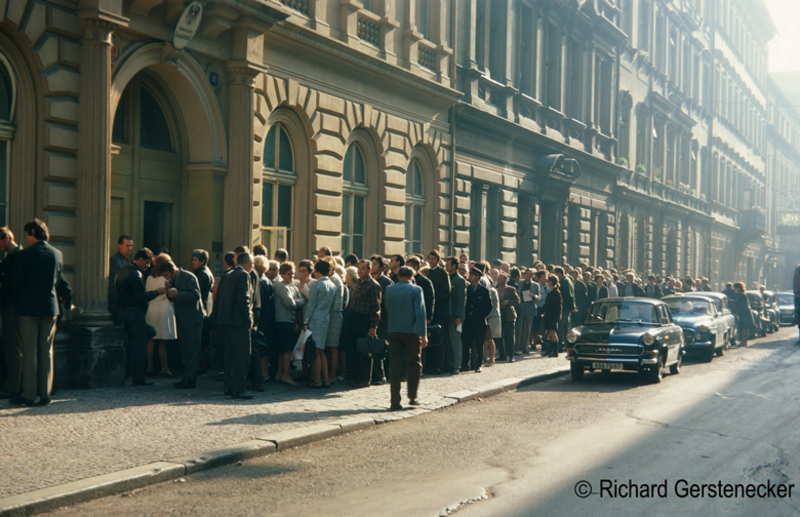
{"points": [[161, 315]]}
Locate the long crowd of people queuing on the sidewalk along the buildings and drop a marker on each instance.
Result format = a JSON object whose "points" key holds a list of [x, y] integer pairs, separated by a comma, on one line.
{"points": [[318, 322]]}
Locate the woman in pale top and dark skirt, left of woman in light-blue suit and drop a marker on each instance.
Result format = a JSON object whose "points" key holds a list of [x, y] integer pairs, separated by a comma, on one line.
{"points": [[288, 302]]}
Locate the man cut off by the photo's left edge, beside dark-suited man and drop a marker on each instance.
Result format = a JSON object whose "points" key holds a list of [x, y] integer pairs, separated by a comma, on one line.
{"points": [[12, 348]]}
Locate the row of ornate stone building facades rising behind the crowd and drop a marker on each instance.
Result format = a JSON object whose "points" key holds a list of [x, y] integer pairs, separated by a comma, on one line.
{"points": [[512, 129]]}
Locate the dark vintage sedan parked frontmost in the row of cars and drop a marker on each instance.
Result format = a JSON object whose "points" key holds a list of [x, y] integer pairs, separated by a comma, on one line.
{"points": [[634, 334]]}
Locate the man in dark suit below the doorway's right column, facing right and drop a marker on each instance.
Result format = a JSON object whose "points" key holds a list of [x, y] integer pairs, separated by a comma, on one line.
{"points": [[233, 316]]}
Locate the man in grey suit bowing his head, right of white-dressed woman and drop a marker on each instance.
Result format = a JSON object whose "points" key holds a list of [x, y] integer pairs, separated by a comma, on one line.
{"points": [[184, 292]]}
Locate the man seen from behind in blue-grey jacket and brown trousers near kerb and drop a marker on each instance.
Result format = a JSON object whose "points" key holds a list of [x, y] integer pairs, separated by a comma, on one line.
{"points": [[408, 334]]}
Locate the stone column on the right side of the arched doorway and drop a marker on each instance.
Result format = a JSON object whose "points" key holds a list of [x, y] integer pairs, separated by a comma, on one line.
{"points": [[239, 182]]}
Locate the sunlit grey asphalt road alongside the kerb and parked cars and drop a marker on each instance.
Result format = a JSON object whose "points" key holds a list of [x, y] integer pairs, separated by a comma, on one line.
{"points": [[734, 421]]}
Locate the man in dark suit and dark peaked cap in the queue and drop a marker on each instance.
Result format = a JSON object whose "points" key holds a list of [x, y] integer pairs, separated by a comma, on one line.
{"points": [[477, 308]]}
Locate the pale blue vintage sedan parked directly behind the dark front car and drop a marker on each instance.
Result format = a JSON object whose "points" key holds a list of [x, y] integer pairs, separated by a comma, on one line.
{"points": [[703, 330]]}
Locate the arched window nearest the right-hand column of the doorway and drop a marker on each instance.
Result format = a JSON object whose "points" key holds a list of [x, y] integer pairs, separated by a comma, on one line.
{"points": [[277, 189]]}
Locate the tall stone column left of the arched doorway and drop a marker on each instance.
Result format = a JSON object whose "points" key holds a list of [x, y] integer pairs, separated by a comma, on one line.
{"points": [[94, 171]]}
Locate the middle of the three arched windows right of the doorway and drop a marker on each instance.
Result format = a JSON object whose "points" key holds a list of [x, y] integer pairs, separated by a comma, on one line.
{"points": [[354, 199]]}
